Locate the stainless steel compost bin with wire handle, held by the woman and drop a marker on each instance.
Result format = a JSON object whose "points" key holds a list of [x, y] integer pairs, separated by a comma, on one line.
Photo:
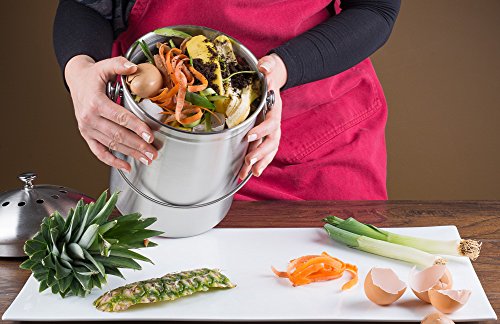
{"points": [[190, 187]]}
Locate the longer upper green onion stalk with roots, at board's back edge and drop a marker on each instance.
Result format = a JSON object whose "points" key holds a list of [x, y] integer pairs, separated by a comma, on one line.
{"points": [[460, 247]]}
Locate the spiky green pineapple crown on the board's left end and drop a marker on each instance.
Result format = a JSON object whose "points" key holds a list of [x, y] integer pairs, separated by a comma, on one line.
{"points": [[74, 255]]}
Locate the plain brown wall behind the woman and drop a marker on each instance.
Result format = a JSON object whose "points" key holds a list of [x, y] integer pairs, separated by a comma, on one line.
{"points": [[440, 71]]}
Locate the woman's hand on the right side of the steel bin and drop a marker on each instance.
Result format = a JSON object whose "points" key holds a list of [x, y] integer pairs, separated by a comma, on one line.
{"points": [[265, 138]]}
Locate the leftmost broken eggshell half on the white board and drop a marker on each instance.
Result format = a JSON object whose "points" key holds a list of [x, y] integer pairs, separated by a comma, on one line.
{"points": [[383, 287]]}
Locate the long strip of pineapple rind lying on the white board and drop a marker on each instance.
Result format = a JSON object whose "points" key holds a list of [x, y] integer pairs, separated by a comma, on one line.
{"points": [[169, 287]]}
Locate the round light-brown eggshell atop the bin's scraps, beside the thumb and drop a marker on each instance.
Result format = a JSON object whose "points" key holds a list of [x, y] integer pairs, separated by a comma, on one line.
{"points": [[146, 82]]}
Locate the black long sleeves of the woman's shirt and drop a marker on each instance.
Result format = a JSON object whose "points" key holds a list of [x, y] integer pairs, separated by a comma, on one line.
{"points": [[89, 27]]}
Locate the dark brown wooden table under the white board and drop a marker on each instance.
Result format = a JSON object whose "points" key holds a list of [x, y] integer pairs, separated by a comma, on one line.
{"points": [[475, 219]]}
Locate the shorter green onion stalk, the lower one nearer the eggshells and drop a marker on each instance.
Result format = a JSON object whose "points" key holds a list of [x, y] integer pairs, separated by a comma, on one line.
{"points": [[382, 248]]}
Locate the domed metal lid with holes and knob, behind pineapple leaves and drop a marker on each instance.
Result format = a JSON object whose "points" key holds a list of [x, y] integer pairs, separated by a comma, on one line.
{"points": [[22, 211]]}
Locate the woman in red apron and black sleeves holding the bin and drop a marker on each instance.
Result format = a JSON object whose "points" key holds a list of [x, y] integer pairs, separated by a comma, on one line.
{"points": [[324, 137]]}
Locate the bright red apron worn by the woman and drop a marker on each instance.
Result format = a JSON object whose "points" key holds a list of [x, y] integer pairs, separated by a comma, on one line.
{"points": [[333, 130]]}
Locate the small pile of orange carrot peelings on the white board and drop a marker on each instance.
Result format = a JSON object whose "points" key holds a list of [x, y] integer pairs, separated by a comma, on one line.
{"points": [[313, 268]]}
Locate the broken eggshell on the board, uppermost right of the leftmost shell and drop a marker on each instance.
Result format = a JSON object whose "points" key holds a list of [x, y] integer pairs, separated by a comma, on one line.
{"points": [[434, 277]]}
